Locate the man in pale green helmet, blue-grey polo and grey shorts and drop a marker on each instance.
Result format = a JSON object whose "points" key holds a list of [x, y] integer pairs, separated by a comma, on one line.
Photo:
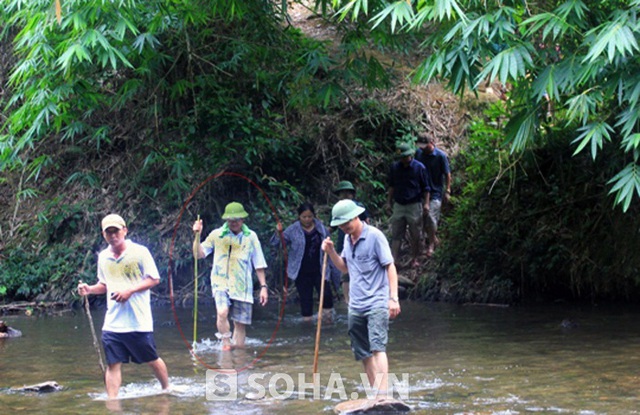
{"points": [[373, 288]]}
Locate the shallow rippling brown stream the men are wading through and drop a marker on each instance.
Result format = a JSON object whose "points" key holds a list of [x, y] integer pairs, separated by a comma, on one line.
{"points": [[449, 359]]}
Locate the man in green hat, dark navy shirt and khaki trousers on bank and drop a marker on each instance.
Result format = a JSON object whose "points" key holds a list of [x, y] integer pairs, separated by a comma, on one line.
{"points": [[408, 199]]}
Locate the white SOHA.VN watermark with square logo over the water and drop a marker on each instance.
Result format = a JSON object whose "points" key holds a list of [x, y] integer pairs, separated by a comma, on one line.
{"points": [[223, 386]]}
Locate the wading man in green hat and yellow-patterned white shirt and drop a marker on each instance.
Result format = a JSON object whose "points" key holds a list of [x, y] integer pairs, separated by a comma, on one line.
{"points": [[237, 251]]}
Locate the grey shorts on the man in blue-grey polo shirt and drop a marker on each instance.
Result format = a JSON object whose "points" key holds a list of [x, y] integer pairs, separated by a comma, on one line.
{"points": [[368, 331]]}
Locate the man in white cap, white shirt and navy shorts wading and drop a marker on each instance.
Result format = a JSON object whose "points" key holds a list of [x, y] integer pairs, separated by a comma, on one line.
{"points": [[126, 272]]}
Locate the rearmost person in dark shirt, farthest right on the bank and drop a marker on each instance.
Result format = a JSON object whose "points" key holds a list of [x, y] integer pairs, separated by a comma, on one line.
{"points": [[439, 174]]}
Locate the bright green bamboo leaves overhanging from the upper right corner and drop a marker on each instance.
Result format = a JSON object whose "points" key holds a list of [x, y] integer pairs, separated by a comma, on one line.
{"points": [[582, 56]]}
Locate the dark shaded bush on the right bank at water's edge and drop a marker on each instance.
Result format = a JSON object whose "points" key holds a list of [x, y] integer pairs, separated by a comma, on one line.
{"points": [[535, 226]]}
